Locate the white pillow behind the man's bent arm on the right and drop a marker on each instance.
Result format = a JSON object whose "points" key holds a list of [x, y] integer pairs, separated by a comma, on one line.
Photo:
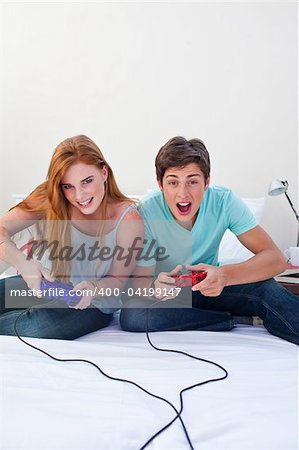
{"points": [[231, 250]]}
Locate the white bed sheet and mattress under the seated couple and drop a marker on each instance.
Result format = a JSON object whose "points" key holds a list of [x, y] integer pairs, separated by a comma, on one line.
{"points": [[53, 405]]}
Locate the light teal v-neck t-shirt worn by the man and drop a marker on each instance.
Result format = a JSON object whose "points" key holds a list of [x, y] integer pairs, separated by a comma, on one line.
{"points": [[220, 210]]}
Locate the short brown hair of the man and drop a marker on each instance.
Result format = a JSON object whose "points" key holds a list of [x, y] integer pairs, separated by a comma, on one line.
{"points": [[178, 152]]}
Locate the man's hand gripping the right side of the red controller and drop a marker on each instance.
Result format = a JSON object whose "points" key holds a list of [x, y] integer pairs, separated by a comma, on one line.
{"points": [[213, 284]]}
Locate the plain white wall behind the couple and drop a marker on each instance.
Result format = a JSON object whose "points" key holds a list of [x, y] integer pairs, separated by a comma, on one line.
{"points": [[132, 75]]}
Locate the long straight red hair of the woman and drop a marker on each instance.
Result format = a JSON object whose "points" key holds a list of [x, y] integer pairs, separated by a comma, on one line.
{"points": [[50, 204]]}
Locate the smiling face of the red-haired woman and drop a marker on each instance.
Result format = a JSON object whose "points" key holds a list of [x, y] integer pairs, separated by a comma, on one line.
{"points": [[83, 186]]}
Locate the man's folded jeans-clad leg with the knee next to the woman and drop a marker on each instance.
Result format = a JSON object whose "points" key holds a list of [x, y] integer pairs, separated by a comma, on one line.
{"points": [[140, 315]]}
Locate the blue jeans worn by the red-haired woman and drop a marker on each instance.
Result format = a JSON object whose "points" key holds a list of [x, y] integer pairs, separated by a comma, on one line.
{"points": [[46, 322]]}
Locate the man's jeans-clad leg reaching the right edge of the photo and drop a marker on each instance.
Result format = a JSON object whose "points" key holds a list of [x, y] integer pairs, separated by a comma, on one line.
{"points": [[278, 307]]}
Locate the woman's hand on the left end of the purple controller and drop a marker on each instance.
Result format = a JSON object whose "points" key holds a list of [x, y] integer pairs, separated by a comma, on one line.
{"points": [[32, 273]]}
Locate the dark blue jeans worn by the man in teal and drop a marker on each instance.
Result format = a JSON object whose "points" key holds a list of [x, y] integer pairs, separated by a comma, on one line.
{"points": [[278, 308]]}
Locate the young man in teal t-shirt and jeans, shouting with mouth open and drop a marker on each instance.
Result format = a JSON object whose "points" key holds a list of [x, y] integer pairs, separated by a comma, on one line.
{"points": [[187, 218]]}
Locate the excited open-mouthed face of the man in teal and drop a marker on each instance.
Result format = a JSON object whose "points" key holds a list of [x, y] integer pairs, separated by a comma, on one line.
{"points": [[183, 189]]}
